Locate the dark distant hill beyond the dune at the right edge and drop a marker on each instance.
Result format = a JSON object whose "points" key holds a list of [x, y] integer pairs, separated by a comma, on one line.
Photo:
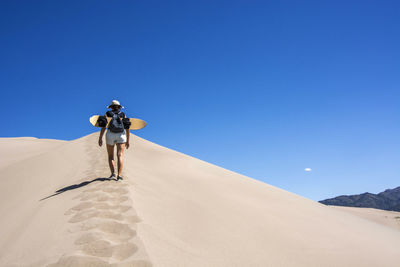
{"points": [[386, 200]]}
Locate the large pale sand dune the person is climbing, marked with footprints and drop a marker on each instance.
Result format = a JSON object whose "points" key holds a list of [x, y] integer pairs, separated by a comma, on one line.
{"points": [[172, 210]]}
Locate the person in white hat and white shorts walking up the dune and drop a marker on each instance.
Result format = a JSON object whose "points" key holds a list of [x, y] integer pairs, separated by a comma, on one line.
{"points": [[115, 137]]}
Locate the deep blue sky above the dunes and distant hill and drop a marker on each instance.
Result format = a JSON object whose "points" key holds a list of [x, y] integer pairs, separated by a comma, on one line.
{"points": [[263, 88]]}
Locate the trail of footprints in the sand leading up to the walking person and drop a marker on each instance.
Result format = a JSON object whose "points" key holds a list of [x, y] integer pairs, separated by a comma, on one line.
{"points": [[103, 222]]}
